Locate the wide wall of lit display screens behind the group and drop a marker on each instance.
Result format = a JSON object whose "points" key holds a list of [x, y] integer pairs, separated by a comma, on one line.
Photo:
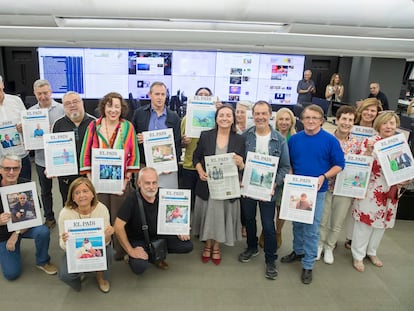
{"points": [[231, 76]]}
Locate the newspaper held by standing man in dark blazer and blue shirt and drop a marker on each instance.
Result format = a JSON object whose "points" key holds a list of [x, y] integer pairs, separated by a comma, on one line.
{"points": [[159, 150]]}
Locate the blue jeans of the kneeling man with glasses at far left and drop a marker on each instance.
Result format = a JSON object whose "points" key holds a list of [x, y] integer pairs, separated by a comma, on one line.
{"points": [[10, 262]]}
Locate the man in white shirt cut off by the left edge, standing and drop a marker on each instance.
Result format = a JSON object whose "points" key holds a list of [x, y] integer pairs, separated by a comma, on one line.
{"points": [[10, 108]]}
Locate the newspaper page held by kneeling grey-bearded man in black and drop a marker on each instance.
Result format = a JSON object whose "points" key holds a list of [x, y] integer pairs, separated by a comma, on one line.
{"points": [[174, 211]]}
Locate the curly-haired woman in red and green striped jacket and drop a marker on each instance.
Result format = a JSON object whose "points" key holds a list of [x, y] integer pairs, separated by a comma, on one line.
{"points": [[112, 131]]}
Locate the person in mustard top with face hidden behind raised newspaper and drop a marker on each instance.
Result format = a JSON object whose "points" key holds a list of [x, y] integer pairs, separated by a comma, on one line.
{"points": [[189, 173]]}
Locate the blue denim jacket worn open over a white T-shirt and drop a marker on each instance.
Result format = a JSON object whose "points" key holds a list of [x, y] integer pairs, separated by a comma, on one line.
{"points": [[277, 147]]}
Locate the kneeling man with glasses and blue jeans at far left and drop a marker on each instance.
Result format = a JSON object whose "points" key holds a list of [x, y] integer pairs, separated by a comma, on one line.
{"points": [[10, 258]]}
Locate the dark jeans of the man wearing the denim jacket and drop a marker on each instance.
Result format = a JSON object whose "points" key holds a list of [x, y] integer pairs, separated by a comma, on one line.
{"points": [[267, 215]]}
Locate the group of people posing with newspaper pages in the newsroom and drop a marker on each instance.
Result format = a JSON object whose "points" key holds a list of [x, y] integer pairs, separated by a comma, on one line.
{"points": [[311, 152]]}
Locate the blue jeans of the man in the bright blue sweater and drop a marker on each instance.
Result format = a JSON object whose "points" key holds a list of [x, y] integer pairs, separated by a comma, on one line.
{"points": [[306, 236]]}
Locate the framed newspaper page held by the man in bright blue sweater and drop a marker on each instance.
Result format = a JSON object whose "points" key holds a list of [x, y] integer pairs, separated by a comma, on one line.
{"points": [[299, 198]]}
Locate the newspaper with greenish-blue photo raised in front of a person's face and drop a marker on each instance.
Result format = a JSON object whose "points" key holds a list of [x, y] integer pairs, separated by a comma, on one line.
{"points": [[200, 115]]}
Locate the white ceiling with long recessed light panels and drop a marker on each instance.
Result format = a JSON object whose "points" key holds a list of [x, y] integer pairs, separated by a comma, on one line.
{"points": [[378, 28]]}
